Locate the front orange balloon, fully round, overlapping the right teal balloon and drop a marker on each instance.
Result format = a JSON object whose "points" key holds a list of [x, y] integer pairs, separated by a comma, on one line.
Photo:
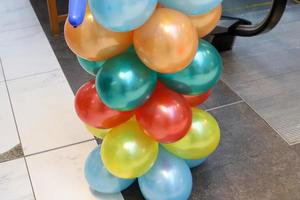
{"points": [[167, 42]]}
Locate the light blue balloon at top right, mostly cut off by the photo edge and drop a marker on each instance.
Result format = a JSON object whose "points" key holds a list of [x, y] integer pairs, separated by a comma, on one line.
{"points": [[191, 7]]}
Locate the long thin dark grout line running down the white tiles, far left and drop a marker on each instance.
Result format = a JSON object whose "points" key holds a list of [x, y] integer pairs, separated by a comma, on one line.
{"points": [[16, 125]]}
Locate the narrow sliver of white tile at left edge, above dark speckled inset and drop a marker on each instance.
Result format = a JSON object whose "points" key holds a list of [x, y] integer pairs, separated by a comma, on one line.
{"points": [[8, 134]]}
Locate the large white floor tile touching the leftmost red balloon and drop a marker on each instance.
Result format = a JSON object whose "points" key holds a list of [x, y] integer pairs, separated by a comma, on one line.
{"points": [[44, 111]]}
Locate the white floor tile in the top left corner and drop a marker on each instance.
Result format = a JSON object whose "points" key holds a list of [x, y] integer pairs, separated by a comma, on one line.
{"points": [[16, 14]]}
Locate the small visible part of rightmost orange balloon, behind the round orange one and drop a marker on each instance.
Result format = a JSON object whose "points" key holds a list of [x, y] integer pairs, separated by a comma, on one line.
{"points": [[205, 23]]}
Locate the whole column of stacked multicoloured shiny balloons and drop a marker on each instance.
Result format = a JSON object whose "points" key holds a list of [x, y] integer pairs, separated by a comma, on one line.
{"points": [[152, 70]]}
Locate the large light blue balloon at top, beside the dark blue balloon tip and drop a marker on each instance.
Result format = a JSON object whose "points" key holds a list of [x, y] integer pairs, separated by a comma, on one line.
{"points": [[122, 15]]}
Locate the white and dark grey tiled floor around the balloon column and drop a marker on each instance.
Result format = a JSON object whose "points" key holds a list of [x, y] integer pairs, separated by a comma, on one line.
{"points": [[252, 162]]}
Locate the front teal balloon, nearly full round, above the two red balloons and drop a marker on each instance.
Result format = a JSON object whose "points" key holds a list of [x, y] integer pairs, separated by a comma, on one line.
{"points": [[124, 82]]}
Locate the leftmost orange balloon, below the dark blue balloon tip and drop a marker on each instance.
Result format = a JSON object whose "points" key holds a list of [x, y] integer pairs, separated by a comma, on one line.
{"points": [[93, 42]]}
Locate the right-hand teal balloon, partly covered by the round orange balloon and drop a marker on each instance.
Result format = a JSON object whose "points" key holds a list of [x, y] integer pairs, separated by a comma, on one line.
{"points": [[198, 77]]}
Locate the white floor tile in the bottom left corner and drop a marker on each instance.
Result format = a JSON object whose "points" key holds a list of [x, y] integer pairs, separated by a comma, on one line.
{"points": [[14, 181]]}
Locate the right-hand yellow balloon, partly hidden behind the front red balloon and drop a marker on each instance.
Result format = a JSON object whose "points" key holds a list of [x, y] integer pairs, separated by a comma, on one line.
{"points": [[201, 140]]}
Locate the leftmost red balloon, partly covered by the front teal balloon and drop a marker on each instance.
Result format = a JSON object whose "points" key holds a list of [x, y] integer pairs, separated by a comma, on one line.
{"points": [[92, 111]]}
